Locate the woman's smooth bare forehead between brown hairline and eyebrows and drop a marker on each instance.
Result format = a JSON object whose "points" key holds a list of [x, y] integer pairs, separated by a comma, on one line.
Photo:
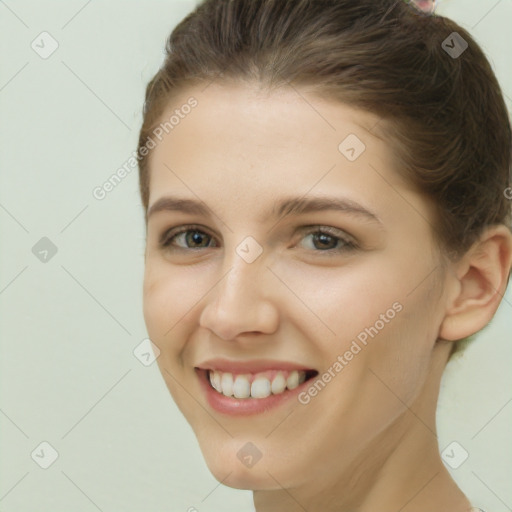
{"points": [[244, 147]]}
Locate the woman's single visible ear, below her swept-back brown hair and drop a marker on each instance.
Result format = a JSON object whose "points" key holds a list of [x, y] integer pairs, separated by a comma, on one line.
{"points": [[480, 279]]}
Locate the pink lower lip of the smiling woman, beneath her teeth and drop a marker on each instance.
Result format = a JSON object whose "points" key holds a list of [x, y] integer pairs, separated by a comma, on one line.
{"points": [[244, 406]]}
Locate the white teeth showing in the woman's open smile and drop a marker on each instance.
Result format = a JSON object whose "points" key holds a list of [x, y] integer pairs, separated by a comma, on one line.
{"points": [[256, 385]]}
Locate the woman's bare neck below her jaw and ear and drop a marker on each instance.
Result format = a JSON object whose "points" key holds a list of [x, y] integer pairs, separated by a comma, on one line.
{"points": [[401, 469]]}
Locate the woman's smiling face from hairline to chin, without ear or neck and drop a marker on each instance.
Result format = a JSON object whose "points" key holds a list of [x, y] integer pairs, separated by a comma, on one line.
{"points": [[324, 309]]}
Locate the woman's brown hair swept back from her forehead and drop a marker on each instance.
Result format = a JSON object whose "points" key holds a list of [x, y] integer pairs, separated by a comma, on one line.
{"points": [[443, 115]]}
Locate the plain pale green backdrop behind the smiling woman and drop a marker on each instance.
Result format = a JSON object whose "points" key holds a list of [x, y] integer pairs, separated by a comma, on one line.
{"points": [[71, 270]]}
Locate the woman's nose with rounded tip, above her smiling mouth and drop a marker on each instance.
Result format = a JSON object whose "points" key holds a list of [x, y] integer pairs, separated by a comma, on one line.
{"points": [[241, 302]]}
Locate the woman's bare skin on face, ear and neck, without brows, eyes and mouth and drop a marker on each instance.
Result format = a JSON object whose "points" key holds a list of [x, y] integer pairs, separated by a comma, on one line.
{"points": [[368, 440]]}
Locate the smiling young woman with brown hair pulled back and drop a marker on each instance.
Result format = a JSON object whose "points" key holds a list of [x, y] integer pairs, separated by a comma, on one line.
{"points": [[326, 186]]}
